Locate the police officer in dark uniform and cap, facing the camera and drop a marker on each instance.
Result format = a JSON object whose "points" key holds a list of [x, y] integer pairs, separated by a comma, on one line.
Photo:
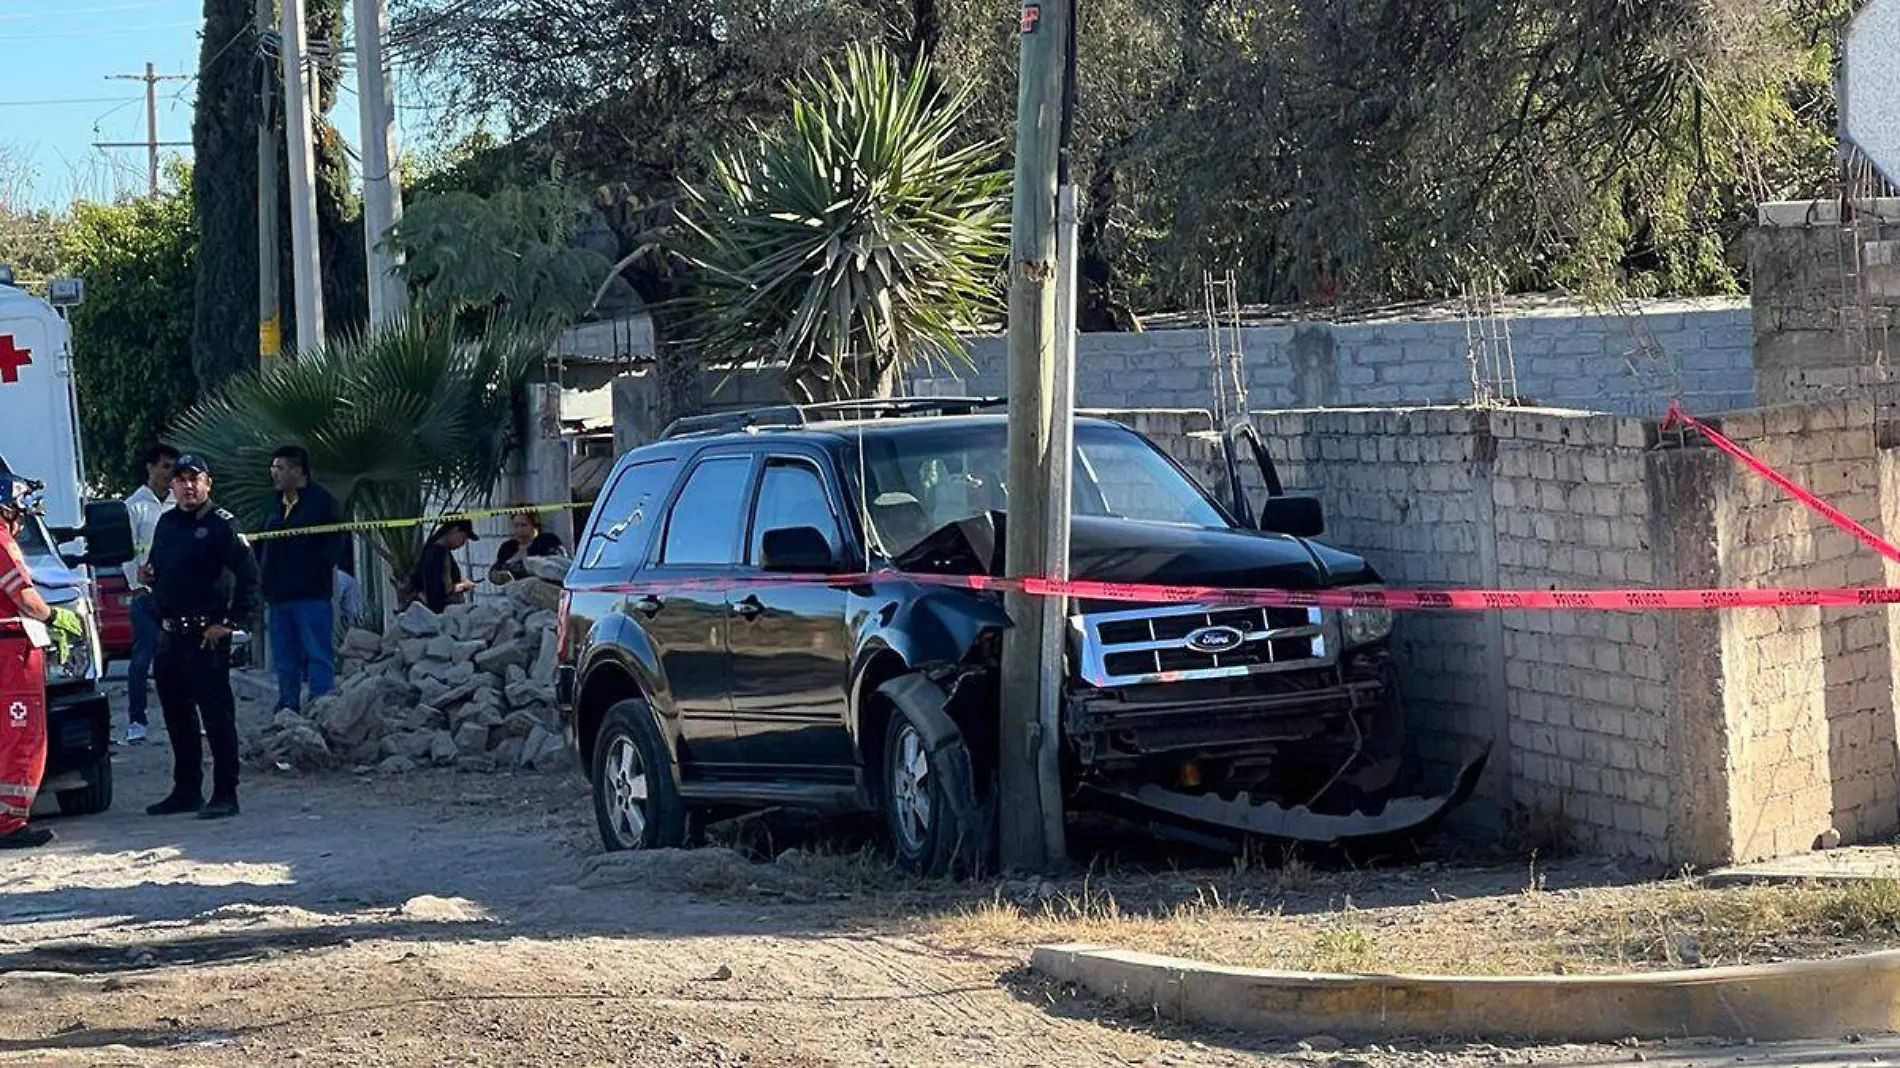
{"points": [[195, 546]]}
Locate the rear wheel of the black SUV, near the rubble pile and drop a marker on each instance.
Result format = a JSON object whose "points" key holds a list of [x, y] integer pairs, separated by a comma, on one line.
{"points": [[637, 803]]}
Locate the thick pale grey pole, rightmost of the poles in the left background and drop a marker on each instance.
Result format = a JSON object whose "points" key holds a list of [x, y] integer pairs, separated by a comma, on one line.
{"points": [[383, 191]]}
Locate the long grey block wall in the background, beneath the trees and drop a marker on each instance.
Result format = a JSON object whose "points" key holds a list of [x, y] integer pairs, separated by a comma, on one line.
{"points": [[1565, 356]]}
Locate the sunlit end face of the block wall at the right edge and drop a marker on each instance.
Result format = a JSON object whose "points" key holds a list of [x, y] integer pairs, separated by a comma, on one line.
{"points": [[1808, 691]]}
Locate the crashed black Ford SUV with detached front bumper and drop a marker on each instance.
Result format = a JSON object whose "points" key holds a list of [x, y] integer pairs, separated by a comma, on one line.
{"points": [[710, 668]]}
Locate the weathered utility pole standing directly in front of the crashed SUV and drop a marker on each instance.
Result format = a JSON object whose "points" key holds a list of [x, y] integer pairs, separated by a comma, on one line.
{"points": [[1031, 831]]}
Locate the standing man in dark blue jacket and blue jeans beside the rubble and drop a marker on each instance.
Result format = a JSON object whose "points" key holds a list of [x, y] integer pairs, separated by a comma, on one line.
{"points": [[299, 579]]}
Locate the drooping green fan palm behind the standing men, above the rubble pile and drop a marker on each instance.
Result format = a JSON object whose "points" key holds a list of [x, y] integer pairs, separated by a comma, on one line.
{"points": [[396, 419]]}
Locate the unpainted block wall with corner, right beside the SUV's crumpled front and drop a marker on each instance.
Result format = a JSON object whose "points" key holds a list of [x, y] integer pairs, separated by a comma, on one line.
{"points": [[1669, 736]]}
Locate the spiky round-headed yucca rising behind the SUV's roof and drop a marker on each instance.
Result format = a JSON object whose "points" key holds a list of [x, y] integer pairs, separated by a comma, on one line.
{"points": [[852, 244]]}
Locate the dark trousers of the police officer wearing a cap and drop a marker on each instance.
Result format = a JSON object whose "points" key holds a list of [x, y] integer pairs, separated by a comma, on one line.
{"points": [[195, 685]]}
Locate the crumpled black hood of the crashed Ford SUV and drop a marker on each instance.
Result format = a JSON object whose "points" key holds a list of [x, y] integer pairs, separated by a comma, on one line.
{"points": [[1126, 550]]}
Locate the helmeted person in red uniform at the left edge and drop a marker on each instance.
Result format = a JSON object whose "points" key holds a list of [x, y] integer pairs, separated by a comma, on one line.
{"points": [[24, 670]]}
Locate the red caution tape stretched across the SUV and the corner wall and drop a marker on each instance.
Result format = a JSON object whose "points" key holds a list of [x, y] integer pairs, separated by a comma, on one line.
{"points": [[1373, 598]]}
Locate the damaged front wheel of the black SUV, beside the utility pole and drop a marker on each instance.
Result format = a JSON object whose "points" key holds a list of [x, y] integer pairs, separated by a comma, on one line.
{"points": [[928, 835]]}
